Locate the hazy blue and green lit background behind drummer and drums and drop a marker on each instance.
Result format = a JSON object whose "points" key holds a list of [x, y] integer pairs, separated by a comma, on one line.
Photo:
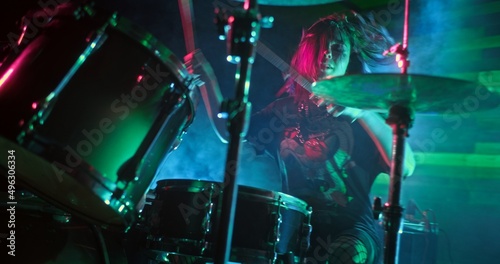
{"points": [[458, 173]]}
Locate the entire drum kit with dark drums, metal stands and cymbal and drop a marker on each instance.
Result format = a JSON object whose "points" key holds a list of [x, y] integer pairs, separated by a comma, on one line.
{"points": [[86, 127]]}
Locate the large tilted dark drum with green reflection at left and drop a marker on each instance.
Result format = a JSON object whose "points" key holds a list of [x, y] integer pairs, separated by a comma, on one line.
{"points": [[90, 107]]}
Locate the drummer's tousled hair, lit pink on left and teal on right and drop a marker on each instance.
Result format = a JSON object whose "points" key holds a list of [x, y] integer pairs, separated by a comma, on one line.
{"points": [[368, 43]]}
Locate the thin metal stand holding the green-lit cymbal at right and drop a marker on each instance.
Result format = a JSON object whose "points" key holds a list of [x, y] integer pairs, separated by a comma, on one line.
{"points": [[400, 119]]}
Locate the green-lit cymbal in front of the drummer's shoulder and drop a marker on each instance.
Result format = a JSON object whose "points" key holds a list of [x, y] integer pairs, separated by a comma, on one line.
{"points": [[422, 93]]}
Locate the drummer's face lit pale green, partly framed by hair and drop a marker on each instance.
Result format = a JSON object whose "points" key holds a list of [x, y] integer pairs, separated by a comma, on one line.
{"points": [[336, 58]]}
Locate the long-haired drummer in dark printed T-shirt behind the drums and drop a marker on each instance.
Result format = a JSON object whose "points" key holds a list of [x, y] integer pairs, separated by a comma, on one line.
{"points": [[332, 155]]}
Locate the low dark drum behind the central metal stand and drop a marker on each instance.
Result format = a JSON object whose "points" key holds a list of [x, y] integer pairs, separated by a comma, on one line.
{"points": [[268, 227]]}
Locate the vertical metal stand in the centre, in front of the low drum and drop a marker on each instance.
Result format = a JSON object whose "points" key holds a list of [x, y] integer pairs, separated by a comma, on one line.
{"points": [[243, 33]]}
